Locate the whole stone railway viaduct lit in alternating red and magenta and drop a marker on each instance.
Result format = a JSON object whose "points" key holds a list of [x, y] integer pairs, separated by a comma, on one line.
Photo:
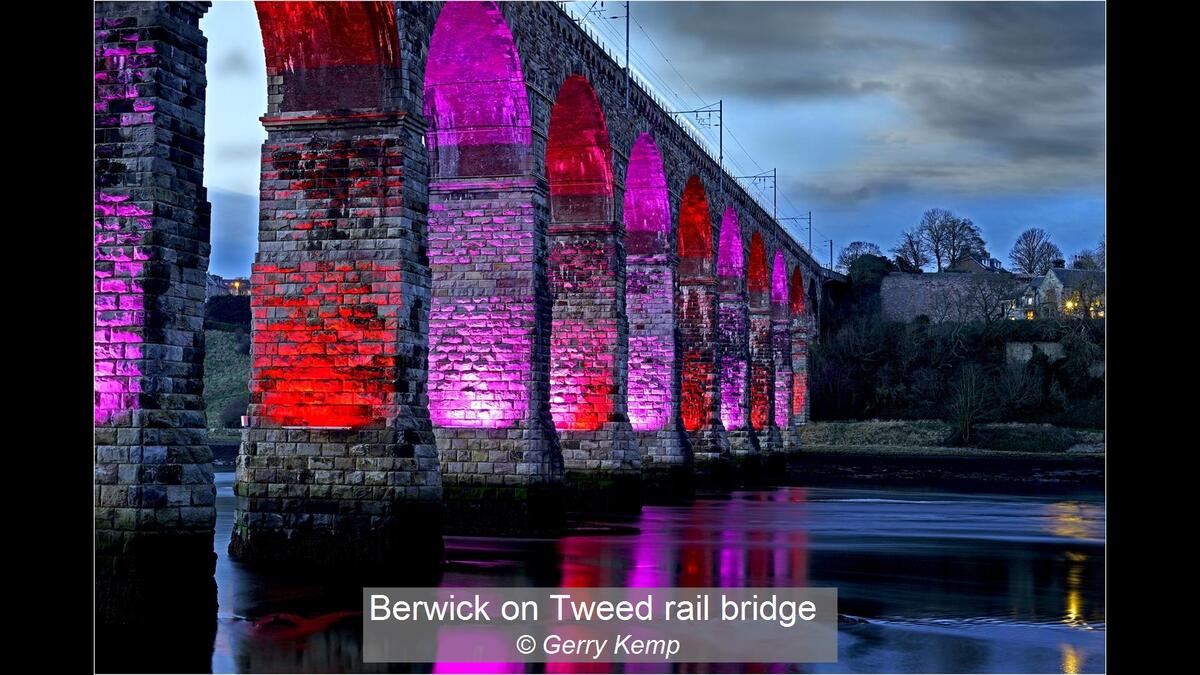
{"points": [[485, 272]]}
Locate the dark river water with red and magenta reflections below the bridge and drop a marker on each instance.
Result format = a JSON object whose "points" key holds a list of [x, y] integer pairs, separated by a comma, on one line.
{"points": [[947, 582]]}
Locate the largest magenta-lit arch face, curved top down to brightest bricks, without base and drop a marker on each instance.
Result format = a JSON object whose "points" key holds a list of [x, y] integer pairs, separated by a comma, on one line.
{"points": [[482, 330]]}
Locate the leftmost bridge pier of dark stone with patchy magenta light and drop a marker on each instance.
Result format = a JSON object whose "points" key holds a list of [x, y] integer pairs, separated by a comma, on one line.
{"points": [[154, 494]]}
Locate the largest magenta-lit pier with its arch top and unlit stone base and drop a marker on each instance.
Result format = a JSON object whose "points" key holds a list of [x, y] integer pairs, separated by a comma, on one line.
{"points": [[488, 250]]}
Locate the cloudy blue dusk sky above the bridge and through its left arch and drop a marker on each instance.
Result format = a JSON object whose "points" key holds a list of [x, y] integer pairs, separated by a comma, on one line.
{"points": [[873, 112]]}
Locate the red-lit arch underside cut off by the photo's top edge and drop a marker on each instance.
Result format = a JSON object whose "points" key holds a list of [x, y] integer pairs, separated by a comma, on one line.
{"points": [[331, 55]]}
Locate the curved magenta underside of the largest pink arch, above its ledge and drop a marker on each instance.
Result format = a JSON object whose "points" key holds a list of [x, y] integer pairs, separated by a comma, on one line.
{"points": [[476, 101]]}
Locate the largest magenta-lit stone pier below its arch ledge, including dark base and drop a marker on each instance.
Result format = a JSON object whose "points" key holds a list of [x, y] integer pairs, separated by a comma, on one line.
{"points": [[489, 327]]}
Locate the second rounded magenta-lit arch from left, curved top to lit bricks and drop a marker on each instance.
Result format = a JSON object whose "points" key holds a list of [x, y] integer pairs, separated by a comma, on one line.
{"points": [[650, 284]]}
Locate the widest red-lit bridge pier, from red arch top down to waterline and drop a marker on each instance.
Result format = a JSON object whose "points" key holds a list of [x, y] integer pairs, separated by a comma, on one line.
{"points": [[339, 297]]}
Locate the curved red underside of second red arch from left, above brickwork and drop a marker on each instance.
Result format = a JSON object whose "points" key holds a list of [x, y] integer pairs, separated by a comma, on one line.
{"points": [[579, 156]]}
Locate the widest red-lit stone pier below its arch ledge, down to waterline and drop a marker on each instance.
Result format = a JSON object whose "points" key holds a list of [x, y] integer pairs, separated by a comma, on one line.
{"points": [[339, 445]]}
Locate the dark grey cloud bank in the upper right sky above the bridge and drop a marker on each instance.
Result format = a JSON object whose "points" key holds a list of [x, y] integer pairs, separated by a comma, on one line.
{"points": [[995, 95]]}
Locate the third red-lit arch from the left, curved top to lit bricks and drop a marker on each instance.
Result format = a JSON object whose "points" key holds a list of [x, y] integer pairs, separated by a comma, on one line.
{"points": [[695, 242]]}
